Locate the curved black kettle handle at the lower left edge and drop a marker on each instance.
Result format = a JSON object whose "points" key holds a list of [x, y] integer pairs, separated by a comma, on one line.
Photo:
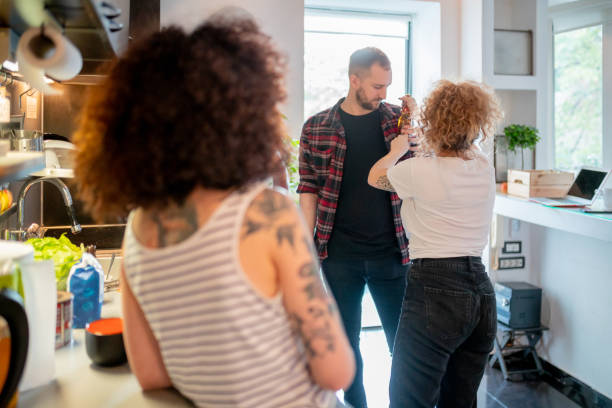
{"points": [[13, 312]]}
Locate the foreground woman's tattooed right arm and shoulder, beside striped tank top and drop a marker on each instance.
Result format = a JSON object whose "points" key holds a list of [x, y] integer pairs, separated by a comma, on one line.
{"points": [[273, 224]]}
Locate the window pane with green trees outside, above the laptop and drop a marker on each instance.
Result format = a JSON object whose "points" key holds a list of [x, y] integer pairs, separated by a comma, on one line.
{"points": [[578, 97]]}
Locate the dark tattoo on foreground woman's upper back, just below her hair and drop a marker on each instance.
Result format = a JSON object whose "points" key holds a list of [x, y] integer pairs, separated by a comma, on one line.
{"points": [[176, 224]]}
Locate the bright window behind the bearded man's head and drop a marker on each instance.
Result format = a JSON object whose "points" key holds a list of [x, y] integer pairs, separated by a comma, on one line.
{"points": [[330, 37]]}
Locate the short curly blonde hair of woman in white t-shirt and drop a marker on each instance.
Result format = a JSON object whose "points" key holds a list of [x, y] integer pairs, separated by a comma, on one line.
{"points": [[456, 114]]}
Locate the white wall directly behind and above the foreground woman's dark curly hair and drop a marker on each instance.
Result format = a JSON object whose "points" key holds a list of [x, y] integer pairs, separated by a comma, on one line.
{"points": [[282, 20]]}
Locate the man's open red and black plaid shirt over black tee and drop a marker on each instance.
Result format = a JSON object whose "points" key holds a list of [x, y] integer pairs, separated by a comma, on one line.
{"points": [[322, 150]]}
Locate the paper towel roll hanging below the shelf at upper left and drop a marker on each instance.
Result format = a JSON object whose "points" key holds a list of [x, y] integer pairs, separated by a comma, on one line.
{"points": [[48, 53]]}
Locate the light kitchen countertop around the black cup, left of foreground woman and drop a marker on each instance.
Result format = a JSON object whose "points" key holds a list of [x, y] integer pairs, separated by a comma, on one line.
{"points": [[80, 383]]}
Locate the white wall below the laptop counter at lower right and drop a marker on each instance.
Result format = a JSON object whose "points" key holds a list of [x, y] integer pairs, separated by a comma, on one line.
{"points": [[575, 273]]}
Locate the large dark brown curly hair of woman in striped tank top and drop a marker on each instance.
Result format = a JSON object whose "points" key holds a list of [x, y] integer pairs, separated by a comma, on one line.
{"points": [[179, 111]]}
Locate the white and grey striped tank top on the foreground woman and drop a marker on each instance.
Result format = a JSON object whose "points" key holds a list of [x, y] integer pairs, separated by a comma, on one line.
{"points": [[222, 343]]}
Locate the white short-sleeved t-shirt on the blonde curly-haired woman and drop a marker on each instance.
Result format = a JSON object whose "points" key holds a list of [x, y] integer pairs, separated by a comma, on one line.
{"points": [[447, 204]]}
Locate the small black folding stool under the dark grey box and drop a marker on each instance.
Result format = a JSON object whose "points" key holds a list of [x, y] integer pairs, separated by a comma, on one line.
{"points": [[508, 334]]}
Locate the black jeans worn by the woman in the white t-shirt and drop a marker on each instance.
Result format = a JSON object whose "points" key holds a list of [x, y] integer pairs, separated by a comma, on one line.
{"points": [[445, 335]]}
